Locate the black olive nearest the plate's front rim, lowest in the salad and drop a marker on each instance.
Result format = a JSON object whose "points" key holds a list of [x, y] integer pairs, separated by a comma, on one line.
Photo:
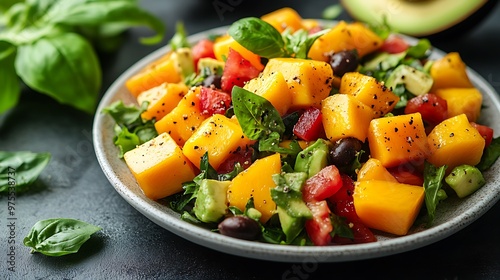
{"points": [[241, 227]]}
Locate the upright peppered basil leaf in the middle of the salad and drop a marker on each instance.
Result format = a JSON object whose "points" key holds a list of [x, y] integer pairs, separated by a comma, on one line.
{"points": [[256, 115]]}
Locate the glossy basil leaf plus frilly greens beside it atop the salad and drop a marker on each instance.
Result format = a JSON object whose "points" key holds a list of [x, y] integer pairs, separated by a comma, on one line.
{"points": [[263, 39]]}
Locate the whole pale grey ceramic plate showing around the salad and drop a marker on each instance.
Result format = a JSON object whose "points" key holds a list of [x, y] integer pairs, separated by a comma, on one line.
{"points": [[452, 215]]}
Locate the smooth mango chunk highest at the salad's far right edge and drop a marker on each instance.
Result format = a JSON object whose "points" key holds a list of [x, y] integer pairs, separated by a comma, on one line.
{"points": [[450, 72]]}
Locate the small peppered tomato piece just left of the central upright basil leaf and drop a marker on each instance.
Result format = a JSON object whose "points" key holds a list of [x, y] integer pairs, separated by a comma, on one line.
{"points": [[214, 101]]}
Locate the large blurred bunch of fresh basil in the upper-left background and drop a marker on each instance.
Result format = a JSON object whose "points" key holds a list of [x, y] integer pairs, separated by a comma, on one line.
{"points": [[50, 44]]}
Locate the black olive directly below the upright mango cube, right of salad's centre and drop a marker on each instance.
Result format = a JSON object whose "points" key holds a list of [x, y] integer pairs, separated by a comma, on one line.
{"points": [[344, 151]]}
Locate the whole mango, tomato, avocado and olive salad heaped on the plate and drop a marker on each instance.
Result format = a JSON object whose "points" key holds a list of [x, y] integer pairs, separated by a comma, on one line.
{"points": [[289, 131]]}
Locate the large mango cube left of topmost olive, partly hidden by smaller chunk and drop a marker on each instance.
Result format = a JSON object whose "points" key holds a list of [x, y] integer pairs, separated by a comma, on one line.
{"points": [[309, 81]]}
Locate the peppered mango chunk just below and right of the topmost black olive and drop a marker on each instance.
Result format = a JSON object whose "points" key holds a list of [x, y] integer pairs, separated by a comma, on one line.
{"points": [[369, 91]]}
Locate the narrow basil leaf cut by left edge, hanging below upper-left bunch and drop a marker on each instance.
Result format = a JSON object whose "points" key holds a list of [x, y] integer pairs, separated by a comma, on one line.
{"points": [[10, 89]]}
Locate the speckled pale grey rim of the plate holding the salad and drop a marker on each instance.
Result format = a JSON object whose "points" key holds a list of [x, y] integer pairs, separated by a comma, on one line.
{"points": [[158, 213]]}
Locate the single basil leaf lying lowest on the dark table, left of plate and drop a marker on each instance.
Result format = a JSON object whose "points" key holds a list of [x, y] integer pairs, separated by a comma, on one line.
{"points": [[59, 237]]}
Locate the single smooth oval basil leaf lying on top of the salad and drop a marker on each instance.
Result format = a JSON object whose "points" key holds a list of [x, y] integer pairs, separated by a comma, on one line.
{"points": [[259, 37]]}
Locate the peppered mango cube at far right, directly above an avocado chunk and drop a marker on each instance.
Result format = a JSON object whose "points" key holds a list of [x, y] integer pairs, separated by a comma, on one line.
{"points": [[455, 141]]}
